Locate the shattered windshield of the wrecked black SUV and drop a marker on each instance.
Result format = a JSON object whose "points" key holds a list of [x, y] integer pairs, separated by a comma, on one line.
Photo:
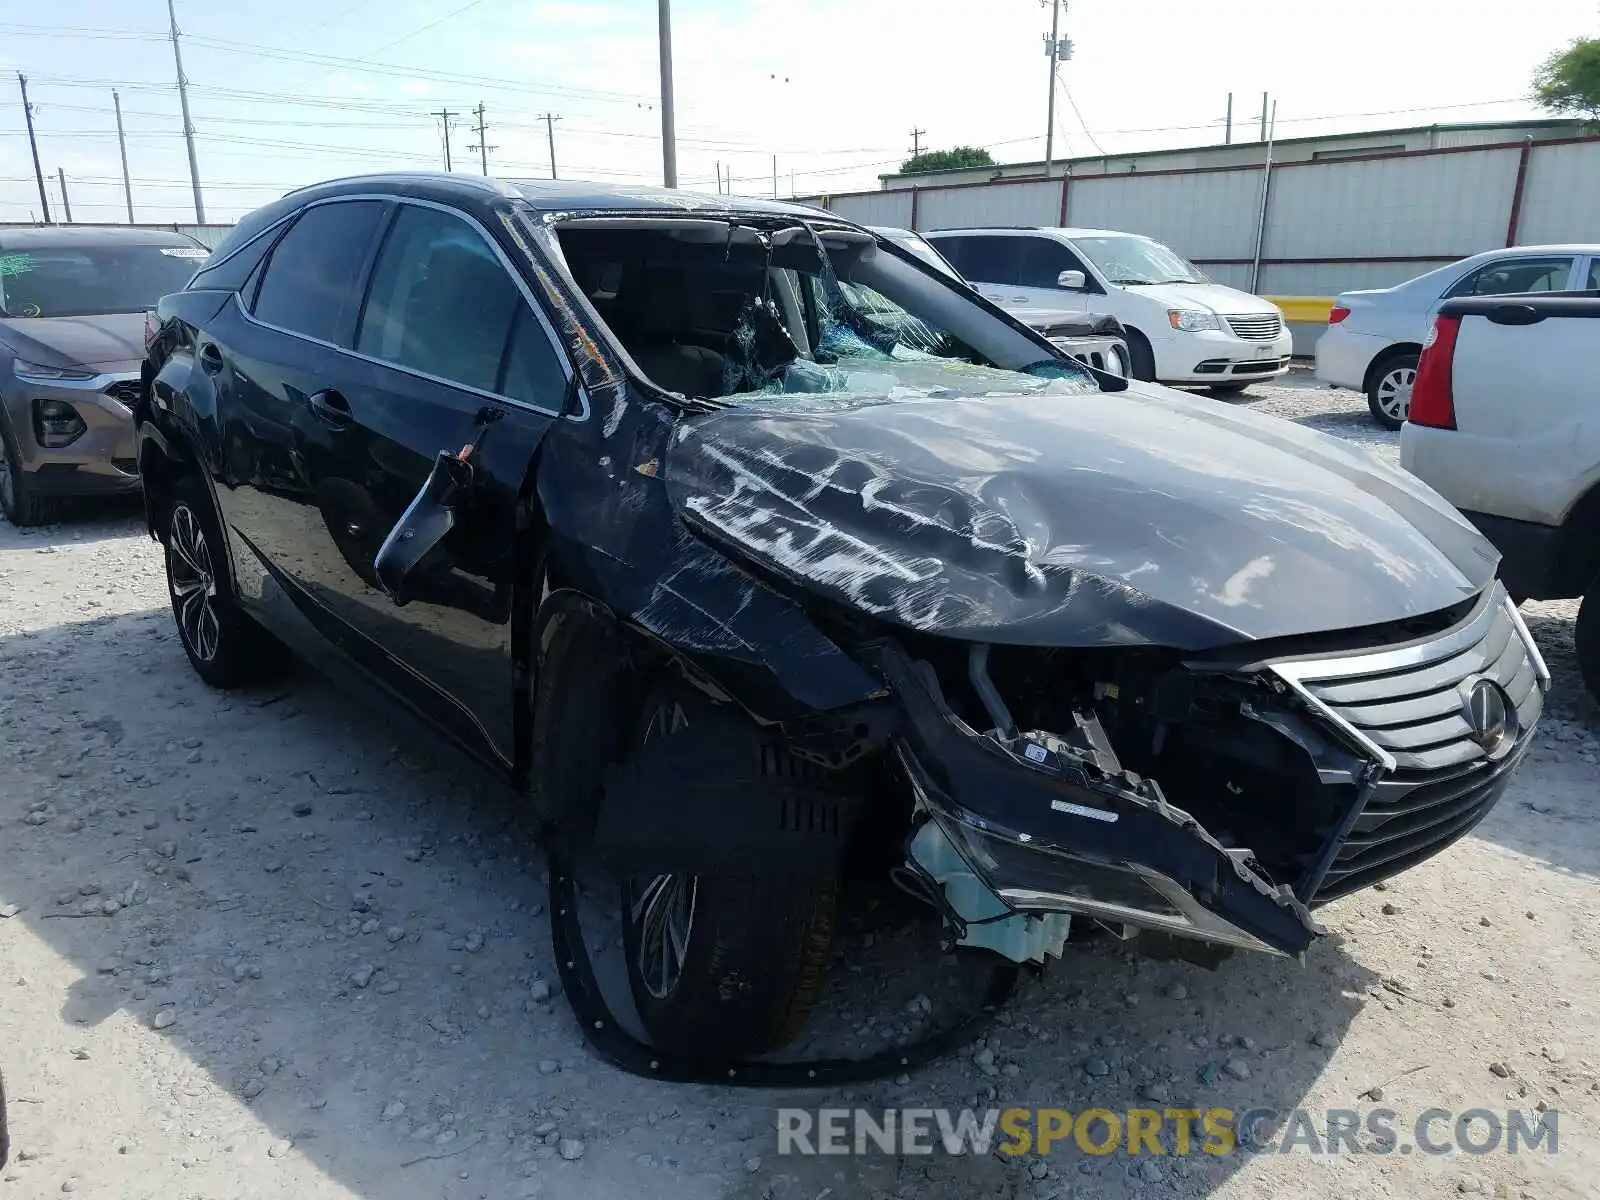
{"points": [[742, 313]]}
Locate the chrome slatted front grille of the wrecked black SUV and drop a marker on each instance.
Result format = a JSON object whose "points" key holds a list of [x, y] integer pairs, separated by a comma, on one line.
{"points": [[1409, 705]]}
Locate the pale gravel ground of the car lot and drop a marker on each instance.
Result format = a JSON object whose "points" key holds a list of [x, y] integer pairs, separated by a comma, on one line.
{"points": [[286, 945]]}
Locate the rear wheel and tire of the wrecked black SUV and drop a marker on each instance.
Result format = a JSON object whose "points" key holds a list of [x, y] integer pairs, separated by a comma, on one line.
{"points": [[225, 646]]}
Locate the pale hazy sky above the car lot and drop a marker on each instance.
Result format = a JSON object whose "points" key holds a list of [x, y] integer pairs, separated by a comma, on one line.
{"points": [[294, 92]]}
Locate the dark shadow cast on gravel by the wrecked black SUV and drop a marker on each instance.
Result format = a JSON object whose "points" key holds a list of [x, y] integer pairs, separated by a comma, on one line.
{"points": [[342, 926]]}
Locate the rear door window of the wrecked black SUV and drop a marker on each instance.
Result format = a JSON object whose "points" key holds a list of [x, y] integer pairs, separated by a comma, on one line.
{"points": [[313, 282]]}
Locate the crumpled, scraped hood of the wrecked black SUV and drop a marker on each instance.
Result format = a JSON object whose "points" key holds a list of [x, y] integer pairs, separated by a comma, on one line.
{"points": [[1140, 518]]}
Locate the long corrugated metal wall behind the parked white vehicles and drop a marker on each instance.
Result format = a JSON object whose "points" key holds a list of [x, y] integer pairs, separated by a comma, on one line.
{"points": [[1329, 215]]}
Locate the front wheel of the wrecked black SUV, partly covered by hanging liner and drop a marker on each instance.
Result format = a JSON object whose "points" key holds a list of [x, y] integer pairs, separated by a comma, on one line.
{"points": [[721, 966]]}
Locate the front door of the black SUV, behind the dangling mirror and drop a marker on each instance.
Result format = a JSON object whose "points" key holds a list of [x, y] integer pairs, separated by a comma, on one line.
{"points": [[447, 346]]}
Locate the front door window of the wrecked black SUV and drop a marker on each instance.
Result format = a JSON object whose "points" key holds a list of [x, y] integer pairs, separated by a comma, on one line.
{"points": [[444, 305]]}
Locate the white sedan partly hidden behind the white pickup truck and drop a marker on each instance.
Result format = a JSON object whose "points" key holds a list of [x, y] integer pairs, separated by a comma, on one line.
{"points": [[1375, 337]]}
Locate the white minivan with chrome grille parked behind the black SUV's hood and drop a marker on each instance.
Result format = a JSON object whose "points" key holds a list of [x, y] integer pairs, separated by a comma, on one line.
{"points": [[1183, 329]]}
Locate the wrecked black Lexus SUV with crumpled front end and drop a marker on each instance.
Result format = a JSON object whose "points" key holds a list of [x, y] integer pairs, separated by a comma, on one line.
{"points": [[735, 535]]}
